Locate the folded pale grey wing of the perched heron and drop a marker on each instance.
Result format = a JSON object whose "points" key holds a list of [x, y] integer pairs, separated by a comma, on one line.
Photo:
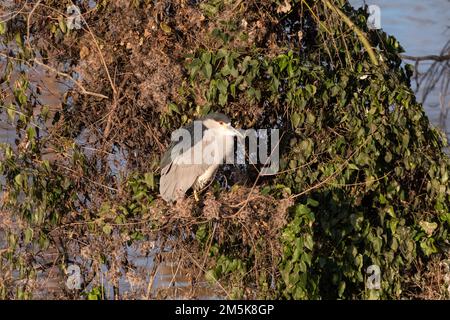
{"points": [[178, 171]]}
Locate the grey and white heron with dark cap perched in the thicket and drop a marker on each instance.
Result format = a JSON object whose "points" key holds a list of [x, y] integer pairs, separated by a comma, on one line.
{"points": [[196, 152]]}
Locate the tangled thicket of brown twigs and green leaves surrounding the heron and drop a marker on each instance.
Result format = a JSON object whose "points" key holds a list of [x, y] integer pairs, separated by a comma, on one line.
{"points": [[363, 178]]}
